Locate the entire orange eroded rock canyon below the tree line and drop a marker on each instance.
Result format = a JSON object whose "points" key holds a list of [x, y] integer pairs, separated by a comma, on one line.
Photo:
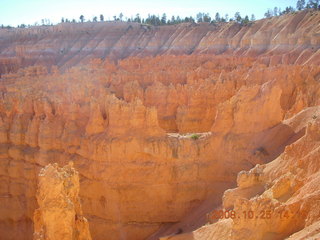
{"points": [[162, 126]]}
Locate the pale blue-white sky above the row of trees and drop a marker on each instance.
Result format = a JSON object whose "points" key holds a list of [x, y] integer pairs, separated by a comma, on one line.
{"points": [[14, 12]]}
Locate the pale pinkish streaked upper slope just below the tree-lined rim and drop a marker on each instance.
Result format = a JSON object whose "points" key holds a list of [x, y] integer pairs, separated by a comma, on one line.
{"points": [[286, 39]]}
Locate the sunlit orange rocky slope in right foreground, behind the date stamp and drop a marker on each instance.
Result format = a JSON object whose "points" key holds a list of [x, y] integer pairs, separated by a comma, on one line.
{"points": [[278, 200]]}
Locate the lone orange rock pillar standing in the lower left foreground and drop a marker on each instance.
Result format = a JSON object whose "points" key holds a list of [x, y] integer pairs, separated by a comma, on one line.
{"points": [[59, 215]]}
